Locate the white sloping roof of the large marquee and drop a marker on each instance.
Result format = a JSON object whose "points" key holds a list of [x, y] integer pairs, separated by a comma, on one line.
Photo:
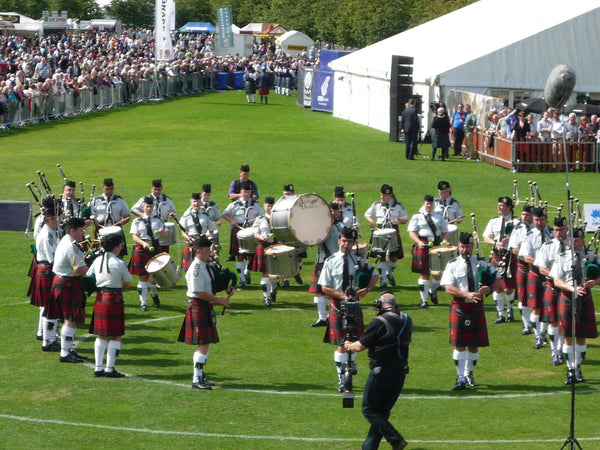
{"points": [[438, 46]]}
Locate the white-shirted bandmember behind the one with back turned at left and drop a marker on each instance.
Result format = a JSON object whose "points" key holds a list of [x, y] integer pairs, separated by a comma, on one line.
{"points": [[110, 210]]}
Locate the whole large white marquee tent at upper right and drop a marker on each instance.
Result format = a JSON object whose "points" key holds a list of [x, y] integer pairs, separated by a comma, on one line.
{"points": [[482, 48]]}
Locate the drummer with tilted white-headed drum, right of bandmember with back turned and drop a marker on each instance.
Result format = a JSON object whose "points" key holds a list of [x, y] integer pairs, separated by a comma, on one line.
{"points": [[145, 231]]}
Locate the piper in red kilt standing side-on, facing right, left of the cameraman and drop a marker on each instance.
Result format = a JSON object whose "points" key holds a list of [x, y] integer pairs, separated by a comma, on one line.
{"points": [[200, 324]]}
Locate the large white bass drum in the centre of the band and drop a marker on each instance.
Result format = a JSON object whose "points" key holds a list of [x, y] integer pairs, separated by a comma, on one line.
{"points": [[301, 220]]}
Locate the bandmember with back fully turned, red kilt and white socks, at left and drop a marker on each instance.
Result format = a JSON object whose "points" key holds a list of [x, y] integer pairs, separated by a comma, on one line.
{"points": [[108, 319]]}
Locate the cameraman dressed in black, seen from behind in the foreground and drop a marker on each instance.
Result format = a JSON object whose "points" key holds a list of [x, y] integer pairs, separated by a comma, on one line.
{"points": [[387, 338]]}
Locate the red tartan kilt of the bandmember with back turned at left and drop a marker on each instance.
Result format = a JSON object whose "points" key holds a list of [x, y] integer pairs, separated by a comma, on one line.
{"points": [[108, 318]]}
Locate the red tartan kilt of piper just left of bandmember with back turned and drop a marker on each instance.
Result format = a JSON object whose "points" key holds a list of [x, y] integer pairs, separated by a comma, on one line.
{"points": [[67, 300]]}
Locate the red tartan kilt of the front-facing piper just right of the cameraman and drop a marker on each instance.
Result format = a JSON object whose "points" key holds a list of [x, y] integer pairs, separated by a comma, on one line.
{"points": [[476, 335]]}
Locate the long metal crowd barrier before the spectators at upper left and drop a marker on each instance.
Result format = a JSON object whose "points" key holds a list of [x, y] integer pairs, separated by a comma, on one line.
{"points": [[74, 102]]}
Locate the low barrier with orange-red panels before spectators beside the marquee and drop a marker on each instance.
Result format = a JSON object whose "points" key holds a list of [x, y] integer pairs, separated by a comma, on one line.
{"points": [[537, 156]]}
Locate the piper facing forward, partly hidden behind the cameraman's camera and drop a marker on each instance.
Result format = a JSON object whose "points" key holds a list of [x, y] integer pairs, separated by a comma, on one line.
{"points": [[337, 279]]}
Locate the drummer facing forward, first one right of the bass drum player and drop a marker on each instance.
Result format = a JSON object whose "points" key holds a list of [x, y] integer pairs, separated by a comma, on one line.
{"points": [[387, 213]]}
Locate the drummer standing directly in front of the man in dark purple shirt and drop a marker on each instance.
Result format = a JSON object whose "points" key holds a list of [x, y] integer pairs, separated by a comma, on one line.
{"points": [[241, 213]]}
